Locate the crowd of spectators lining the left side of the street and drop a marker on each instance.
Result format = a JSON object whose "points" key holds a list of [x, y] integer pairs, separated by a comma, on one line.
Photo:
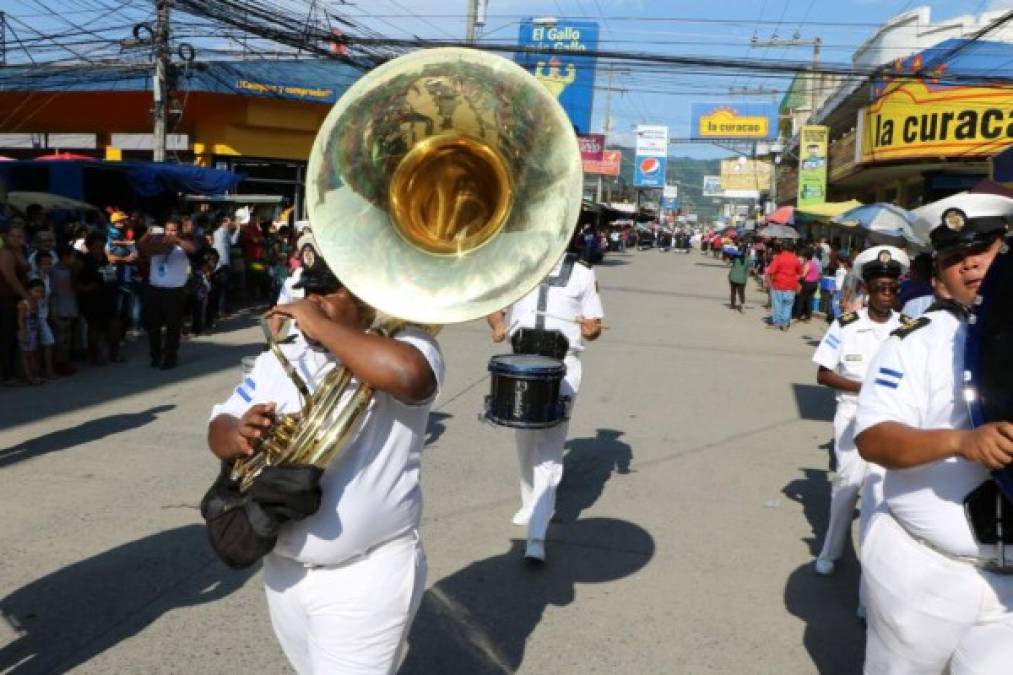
{"points": [[72, 291]]}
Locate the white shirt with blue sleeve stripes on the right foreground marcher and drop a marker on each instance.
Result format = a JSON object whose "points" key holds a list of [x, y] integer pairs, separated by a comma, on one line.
{"points": [[916, 382]]}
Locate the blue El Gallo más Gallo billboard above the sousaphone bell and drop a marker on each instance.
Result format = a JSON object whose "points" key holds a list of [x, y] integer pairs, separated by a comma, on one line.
{"points": [[570, 78]]}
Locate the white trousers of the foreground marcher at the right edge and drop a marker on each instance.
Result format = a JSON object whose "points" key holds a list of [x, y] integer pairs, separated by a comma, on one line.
{"points": [[929, 615]]}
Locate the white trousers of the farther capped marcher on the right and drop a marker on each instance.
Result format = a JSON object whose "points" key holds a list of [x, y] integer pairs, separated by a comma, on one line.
{"points": [[848, 480]]}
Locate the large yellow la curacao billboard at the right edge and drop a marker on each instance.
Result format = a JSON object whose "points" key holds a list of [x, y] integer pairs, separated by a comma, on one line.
{"points": [[913, 120]]}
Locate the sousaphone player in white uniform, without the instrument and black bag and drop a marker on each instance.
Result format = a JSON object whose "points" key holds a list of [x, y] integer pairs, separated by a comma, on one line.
{"points": [[344, 584]]}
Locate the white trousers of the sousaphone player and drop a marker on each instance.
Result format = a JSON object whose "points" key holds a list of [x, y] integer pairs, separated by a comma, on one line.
{"points": [[350, 619]]}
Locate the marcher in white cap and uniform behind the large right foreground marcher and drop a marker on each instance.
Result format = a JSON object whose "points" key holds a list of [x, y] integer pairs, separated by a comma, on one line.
{"points": [[843, 357]]}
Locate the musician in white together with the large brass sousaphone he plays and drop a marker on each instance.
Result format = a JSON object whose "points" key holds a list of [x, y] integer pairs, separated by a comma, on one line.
{"points": [[442, 186]]}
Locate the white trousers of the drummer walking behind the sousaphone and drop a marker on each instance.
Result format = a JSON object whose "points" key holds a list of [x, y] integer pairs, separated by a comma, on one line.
{"points": [[540, 453]]}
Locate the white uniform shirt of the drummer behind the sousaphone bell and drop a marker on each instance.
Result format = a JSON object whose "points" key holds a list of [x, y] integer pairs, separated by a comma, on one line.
{"points": [[578, 298]]}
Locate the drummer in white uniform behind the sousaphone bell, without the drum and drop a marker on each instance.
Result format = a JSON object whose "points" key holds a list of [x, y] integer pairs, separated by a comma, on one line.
{"points": [[567, 302]]}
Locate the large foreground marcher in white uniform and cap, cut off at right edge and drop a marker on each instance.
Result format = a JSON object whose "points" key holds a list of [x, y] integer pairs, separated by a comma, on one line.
{"points": [[939, 599]]}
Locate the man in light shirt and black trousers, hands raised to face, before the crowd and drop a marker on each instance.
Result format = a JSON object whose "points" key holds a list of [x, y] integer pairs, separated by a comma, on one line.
{"points": [[164, 307]]}
